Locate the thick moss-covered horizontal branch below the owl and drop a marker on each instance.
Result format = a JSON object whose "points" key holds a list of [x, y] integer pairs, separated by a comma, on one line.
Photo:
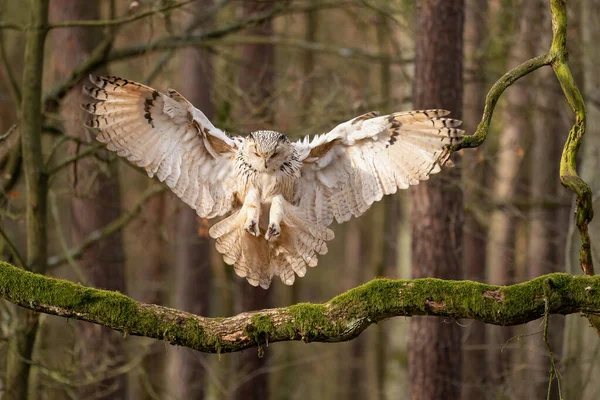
{"points": [[340, 319]]}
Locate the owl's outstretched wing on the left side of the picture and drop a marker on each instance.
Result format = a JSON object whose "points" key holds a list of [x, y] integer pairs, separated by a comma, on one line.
{"points": [[169, 138]]}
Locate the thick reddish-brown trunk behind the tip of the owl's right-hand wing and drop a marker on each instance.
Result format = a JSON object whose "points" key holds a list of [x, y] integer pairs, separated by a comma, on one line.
{"points": [[437, 205]]}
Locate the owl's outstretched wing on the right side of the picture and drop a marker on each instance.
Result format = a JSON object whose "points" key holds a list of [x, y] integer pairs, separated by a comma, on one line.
{"points": [[346, 170]]}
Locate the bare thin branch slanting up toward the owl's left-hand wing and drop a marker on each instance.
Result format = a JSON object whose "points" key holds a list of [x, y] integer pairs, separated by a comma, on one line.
{"points": [[109, 229]]}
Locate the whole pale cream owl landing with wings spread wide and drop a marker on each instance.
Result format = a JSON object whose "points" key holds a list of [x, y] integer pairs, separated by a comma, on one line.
{"points": [[279, 196]]}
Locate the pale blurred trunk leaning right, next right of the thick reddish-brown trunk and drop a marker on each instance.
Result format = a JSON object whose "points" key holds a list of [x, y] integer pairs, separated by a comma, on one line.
{"points": [[502, 227]]}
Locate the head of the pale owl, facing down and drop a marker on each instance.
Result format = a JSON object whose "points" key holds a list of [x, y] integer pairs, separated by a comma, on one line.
{"points": [[267, 151]]}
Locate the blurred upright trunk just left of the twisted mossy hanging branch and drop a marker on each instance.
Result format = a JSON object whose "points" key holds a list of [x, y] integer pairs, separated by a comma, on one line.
{"points": [[546, 236]]}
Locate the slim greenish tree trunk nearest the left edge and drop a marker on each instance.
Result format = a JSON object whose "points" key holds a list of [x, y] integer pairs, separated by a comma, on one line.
{"points": [[22, 341]]}
